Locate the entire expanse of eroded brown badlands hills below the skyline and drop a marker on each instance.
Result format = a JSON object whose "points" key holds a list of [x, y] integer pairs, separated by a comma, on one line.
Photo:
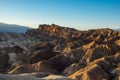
{"points": [[52, 49]]}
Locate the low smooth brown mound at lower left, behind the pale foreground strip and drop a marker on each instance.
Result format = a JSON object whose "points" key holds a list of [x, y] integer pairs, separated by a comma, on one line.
{"points": [[42, 66]]}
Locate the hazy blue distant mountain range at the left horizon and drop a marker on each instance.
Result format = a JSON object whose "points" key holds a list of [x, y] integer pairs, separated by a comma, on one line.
{"points": [[13, 28]]}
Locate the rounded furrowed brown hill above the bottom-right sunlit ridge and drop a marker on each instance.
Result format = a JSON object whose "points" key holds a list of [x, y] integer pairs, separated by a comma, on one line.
{"points": [[96, 53]]}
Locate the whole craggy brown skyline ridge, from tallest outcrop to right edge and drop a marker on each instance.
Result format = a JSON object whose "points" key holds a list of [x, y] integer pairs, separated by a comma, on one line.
{"points": [[63, 32]]}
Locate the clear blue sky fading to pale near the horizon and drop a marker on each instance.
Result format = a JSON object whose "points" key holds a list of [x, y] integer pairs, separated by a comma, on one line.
{"points": [[79, 14]]}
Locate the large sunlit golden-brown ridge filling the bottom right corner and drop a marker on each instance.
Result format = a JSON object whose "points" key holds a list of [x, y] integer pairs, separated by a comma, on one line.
{"points": [[99, 69]]}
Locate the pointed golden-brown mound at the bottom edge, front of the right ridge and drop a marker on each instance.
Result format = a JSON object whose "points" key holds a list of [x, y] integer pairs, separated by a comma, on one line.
{"points": [[94, 72]]}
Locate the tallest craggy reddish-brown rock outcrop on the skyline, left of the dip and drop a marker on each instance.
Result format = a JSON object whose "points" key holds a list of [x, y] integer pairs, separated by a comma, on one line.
{"points": [[54, 31]]}
